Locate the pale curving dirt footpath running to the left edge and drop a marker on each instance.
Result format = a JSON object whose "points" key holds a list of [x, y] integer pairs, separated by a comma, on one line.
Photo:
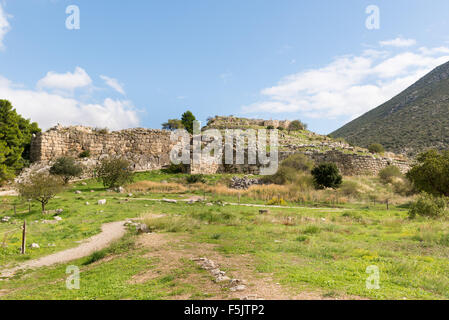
{"points": [[109, 233]]}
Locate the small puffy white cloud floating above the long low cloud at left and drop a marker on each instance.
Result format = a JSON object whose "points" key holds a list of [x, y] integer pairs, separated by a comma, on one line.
{"points": [[65, 81]]}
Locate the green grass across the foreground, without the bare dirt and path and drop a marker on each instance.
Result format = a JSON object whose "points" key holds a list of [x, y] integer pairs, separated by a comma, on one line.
{"points": [[313, 249]]}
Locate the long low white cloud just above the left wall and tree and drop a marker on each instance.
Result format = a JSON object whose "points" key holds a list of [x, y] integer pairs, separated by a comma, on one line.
{"points": [[50, 108]]}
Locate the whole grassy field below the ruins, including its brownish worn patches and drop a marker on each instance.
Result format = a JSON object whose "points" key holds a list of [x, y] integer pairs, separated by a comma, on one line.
{"points": [[315, 250]]}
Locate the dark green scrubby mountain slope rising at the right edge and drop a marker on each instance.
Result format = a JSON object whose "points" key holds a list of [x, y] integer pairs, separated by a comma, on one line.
{"points": [[413, 121]]}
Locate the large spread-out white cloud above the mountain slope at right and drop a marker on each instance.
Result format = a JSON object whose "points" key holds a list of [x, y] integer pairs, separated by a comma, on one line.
{"points": [[350, 85]]}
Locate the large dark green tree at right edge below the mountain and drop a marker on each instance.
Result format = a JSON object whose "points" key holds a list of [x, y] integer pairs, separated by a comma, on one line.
{"points": [[431, 173]]}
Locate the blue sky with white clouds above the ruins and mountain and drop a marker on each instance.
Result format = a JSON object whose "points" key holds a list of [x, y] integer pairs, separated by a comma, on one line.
{"points": [[138, 63]]}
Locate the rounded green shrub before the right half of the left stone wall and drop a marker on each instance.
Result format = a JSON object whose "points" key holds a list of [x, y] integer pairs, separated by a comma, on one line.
{"points": [[114, 172]]}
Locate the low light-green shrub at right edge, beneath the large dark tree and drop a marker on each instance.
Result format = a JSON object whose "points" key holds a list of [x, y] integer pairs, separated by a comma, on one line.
{"points": [[428, 205]]}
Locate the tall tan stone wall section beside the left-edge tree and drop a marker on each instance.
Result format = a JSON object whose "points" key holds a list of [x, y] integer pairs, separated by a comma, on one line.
{"points": [[146, 149]]}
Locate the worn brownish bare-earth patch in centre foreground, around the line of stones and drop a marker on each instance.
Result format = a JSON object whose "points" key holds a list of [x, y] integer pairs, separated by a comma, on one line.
{"points": [[170, 252]]}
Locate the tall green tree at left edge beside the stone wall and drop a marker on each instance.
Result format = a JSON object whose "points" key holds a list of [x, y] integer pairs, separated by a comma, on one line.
{"points": [[15, 139]]}
